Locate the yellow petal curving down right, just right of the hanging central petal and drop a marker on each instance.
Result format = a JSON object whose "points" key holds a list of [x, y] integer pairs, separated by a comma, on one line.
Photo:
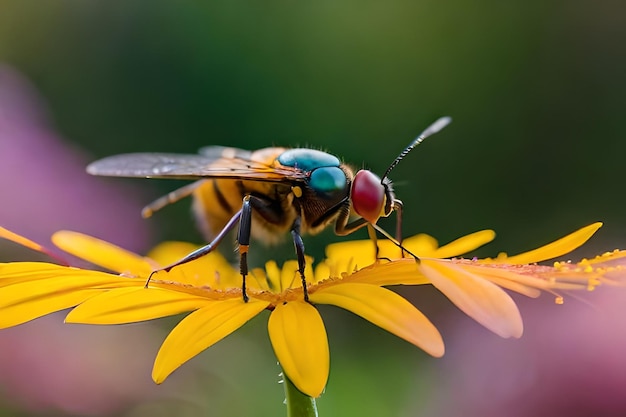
{"points": [[386, 310]]}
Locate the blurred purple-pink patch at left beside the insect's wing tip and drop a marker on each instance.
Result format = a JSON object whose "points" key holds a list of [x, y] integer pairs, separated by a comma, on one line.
{"points": [[43, 180]]}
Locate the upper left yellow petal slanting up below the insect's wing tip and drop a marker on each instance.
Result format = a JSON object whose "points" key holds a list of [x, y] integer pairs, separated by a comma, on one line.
{"points": [[102, 253]]}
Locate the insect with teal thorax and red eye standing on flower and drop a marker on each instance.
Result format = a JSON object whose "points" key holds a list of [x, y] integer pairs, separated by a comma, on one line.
{"points": [[268, 193]]}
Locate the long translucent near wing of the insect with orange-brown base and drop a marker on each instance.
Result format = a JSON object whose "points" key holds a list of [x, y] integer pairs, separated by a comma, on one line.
{"points": [[192, 167]]}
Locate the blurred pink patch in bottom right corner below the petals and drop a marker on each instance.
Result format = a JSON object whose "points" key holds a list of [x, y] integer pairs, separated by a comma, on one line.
{"points": [[569, 362]]}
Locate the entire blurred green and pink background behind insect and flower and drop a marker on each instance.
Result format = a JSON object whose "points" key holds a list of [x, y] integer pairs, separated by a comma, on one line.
{"points": [[537, 91]]}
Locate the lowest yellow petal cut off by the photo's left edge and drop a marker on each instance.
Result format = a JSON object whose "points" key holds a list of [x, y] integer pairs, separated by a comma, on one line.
{"points": [[60, 289]]}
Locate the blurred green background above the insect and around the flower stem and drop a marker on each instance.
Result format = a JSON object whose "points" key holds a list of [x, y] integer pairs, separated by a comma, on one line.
{"points": [[537, 92]]}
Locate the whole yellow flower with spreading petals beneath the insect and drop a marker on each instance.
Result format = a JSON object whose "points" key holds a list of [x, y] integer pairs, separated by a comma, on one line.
{"points": [[350, 278]]}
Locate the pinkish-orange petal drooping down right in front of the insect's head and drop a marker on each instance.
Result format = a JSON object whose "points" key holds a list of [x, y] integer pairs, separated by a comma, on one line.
{"points": [[480, 299]]}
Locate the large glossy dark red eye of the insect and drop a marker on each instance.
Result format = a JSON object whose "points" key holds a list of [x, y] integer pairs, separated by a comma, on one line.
{"points": [[368, 195]]}
